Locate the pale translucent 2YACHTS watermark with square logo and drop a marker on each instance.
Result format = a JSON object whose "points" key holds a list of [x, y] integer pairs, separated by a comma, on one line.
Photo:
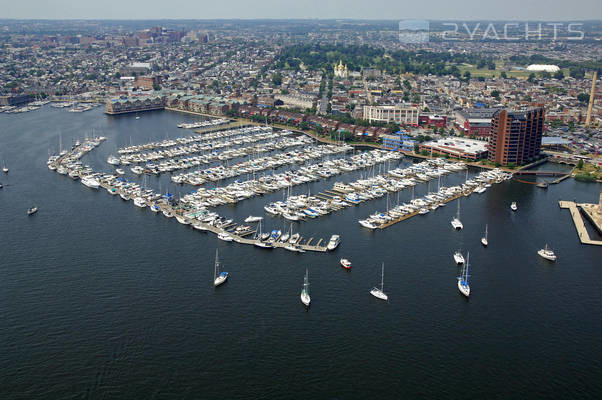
{"points": [[418, 31]]}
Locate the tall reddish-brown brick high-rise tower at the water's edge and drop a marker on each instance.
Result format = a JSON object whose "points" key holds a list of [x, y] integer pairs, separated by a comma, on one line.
{"points": [[516, 136]]}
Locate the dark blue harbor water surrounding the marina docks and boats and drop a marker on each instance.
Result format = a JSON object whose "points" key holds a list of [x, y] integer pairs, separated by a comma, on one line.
{"points": [[101, 300]]}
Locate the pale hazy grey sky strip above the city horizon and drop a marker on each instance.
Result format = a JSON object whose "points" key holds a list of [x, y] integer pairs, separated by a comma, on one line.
{"points": [[557, 10]]}
